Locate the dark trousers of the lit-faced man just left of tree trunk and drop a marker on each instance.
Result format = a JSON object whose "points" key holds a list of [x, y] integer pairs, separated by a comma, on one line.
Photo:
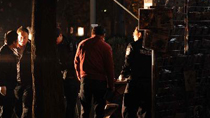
{"points": [[23, 107]]}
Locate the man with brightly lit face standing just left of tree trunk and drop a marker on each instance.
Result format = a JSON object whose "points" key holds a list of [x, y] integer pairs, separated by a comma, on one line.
{"points": [[23, 90]]}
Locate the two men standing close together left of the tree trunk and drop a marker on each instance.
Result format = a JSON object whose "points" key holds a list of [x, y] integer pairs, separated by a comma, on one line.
{"points": [[15, 74]]}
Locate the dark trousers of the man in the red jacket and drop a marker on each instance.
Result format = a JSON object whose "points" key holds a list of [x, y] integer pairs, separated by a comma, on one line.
{"points": [[95, 89]]}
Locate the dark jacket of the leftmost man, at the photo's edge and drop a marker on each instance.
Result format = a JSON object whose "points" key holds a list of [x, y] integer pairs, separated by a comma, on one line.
{"points": [[8, 67]]}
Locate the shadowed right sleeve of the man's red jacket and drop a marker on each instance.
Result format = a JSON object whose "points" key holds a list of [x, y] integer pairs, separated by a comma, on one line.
{"points": [[109, 67]]}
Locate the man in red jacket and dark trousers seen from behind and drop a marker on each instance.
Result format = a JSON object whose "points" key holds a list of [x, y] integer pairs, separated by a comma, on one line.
{"points": [[94, 68]]}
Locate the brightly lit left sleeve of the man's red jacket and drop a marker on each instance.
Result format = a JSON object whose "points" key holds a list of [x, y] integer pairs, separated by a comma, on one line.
{"points": [[77, 63]]}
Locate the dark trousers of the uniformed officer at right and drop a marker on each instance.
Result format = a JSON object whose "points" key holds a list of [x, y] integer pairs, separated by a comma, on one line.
{"points": [[137, 99]]}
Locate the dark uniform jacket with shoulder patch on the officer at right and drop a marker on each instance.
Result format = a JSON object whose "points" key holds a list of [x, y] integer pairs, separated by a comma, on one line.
{"points": [[137, 61]]}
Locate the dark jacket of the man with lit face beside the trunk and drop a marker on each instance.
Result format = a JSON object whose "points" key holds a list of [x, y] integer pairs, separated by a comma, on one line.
{"points": [[25, 66]]}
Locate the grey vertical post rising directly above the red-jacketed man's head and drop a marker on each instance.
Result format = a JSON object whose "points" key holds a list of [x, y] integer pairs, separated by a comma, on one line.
{"points": [[92, 12]]}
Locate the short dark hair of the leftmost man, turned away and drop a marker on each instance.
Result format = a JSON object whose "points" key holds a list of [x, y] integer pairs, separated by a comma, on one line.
{"points": [[10, 37]]}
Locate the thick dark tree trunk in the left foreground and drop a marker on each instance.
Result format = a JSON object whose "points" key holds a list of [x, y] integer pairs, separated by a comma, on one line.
{"points": [[48, 100]]}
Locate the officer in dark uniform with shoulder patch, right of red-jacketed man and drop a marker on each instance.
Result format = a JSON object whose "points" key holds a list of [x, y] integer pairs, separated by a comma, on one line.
{"points": [[137, 70]]}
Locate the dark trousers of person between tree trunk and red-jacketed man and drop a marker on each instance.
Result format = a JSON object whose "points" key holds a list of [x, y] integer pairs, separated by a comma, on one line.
{"points": [[71, 89]]}
